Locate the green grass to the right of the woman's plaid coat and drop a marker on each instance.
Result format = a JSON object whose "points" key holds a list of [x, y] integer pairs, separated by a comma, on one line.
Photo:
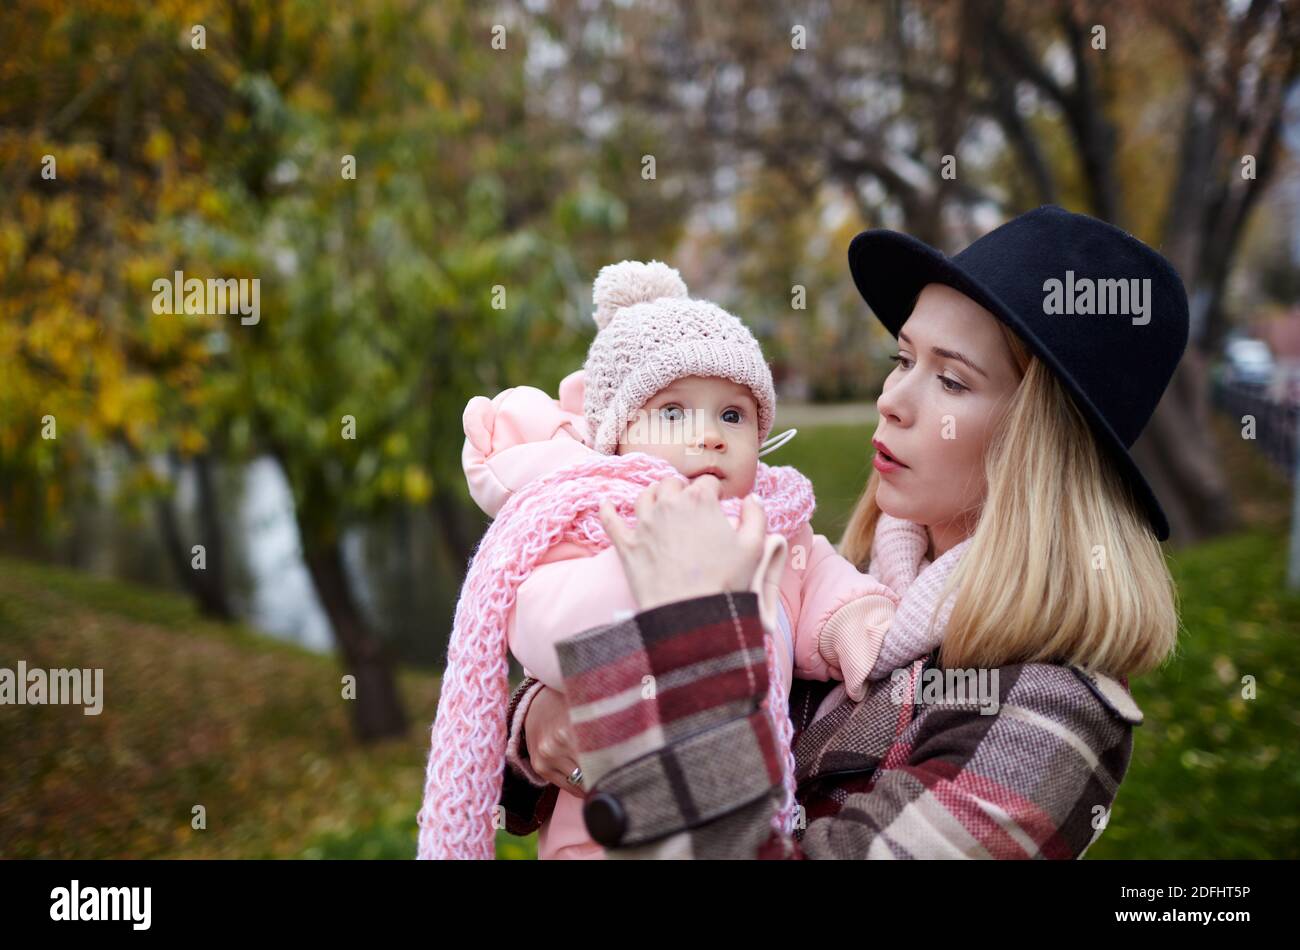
{"points": [[1215, 774]]}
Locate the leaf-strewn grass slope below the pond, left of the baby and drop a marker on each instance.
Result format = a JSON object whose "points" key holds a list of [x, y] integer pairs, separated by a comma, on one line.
{"points": [[194, 714]]}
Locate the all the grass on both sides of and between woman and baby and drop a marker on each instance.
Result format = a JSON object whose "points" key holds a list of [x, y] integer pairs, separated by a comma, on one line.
{"points": [[255, 731]]}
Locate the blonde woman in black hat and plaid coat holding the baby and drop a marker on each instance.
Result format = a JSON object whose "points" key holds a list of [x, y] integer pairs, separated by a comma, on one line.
{"points": [[1006, 509]]}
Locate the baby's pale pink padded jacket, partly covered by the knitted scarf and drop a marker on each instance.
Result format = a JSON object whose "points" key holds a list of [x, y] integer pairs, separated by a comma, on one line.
{"points": [[834, 618]]}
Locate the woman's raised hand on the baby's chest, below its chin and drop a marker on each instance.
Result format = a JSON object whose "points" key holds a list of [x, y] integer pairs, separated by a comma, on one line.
{"points": [[683, 545]]}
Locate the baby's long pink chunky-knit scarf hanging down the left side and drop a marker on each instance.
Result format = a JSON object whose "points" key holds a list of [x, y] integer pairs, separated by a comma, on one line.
{"points": [[467, 758]]}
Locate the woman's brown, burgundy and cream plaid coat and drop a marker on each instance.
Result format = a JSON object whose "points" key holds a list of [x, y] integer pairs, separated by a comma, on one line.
{"points": [[679, 761]]}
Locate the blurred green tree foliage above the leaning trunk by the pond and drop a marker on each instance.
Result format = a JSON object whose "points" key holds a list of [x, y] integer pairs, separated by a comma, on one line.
{"points": [[378, 290]]}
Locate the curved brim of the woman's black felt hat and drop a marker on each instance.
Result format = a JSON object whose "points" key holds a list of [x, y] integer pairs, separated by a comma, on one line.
{"points": [[891, 270]]}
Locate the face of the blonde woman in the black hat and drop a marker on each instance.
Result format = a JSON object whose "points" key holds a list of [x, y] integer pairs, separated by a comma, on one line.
{"points": [[939, 409]]}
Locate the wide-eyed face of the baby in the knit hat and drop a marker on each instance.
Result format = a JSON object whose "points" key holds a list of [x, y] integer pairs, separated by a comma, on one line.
{"points": [[701, 424]]}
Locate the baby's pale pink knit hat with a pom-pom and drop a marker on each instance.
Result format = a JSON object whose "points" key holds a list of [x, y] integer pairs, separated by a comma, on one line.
{"points": [[652, 335]]}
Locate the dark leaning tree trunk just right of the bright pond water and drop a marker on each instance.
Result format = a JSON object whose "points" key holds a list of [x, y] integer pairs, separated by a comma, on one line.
{"points": [[378, 712]]}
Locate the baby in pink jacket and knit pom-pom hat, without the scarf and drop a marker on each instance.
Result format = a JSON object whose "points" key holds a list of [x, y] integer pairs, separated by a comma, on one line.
{"points": [[686, 383]]}
